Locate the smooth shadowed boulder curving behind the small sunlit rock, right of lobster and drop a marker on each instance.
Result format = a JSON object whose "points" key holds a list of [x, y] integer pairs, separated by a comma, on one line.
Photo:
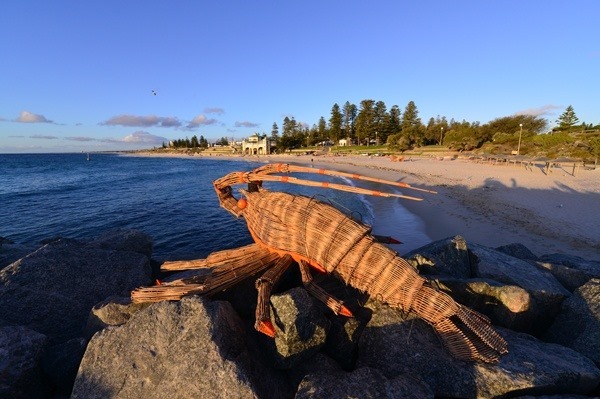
{"points": [[546, 291]]}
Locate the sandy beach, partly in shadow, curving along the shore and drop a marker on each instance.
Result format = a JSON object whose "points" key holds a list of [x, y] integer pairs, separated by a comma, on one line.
{"points": [[492, 205]]}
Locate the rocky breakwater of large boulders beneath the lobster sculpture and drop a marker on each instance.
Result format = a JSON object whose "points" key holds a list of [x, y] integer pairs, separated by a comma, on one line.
{"points": [[546, 307]]}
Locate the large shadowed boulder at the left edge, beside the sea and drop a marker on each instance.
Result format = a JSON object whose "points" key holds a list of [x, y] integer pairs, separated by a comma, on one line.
{"points": [[53, 289]]}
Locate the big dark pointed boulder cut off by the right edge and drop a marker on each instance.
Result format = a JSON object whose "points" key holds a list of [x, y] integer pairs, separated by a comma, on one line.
{"points": [[577, 326]]}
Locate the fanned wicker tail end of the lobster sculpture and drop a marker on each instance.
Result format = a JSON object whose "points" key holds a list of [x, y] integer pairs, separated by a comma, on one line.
{"points": [[466, 334]]}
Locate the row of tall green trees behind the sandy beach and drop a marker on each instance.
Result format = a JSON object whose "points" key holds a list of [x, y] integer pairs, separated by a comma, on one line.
{"points": [[372, 123]]}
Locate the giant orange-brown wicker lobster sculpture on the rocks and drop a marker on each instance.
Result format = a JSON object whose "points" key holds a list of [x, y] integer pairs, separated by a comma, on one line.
{"points": [[288, 228]]}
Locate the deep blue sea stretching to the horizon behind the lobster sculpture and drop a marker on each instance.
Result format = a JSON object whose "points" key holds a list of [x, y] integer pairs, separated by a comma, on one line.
{"points": [[44, 196]]}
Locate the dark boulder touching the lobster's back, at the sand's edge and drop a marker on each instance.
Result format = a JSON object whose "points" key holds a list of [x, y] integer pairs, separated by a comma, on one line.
{"points": [[448, 257]]}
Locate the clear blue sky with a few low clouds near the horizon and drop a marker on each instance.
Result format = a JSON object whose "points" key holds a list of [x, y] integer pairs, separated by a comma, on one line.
{"points": [[79, 75]]}
